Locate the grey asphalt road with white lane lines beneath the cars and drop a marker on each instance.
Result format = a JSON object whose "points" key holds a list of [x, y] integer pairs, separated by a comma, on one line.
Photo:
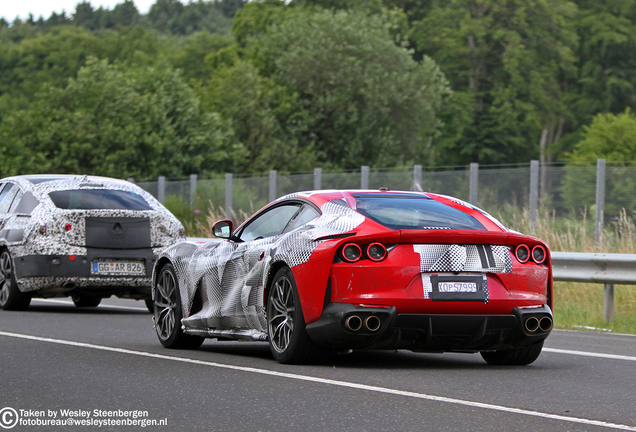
{"points": [[105, 364]]}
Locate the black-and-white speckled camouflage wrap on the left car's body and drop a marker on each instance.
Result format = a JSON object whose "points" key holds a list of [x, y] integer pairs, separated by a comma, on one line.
{"points": [[21, 235]]}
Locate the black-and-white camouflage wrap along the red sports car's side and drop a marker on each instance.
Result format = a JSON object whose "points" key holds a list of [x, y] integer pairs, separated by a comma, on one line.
{"points": [[230, 277]]}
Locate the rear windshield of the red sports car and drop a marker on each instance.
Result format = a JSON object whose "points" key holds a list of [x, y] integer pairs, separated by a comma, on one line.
{"points": [[414, 212]]}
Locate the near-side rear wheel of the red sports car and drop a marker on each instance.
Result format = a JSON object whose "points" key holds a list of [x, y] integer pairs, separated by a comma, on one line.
{"points": [[288, 339]]}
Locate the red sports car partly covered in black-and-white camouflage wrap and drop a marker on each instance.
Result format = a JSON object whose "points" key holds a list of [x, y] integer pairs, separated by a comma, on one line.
{"points": [[360, 269]]}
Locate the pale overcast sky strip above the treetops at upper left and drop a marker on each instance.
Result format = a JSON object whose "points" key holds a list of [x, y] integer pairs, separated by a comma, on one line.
{"points": [[10, 9]]}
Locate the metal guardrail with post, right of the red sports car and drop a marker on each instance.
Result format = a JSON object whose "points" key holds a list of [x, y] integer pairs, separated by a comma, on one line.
{"points": [[608, 269]]}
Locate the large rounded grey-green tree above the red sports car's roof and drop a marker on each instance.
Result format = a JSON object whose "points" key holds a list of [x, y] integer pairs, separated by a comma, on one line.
{"points": [[366, 99]]}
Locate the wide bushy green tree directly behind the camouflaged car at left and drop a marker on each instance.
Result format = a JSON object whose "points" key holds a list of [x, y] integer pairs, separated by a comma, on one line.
{"points": [[139, 122]]}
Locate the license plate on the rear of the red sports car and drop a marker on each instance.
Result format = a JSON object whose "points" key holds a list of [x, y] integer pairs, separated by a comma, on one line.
{"points": [[459, 288]]}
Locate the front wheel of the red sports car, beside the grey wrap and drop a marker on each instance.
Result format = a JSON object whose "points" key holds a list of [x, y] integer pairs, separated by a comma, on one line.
{"points": [[167, 312]]}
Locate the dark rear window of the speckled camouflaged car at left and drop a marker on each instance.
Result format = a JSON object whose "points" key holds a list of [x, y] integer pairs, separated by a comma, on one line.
{"points": [[98, 199]]}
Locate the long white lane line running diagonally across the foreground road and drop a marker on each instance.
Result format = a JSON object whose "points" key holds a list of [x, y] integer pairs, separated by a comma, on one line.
{"points": [[329, 382]]}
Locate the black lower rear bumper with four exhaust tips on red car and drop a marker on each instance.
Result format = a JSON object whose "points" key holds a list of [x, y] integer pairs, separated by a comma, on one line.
{"points": [[345, 326]]}
